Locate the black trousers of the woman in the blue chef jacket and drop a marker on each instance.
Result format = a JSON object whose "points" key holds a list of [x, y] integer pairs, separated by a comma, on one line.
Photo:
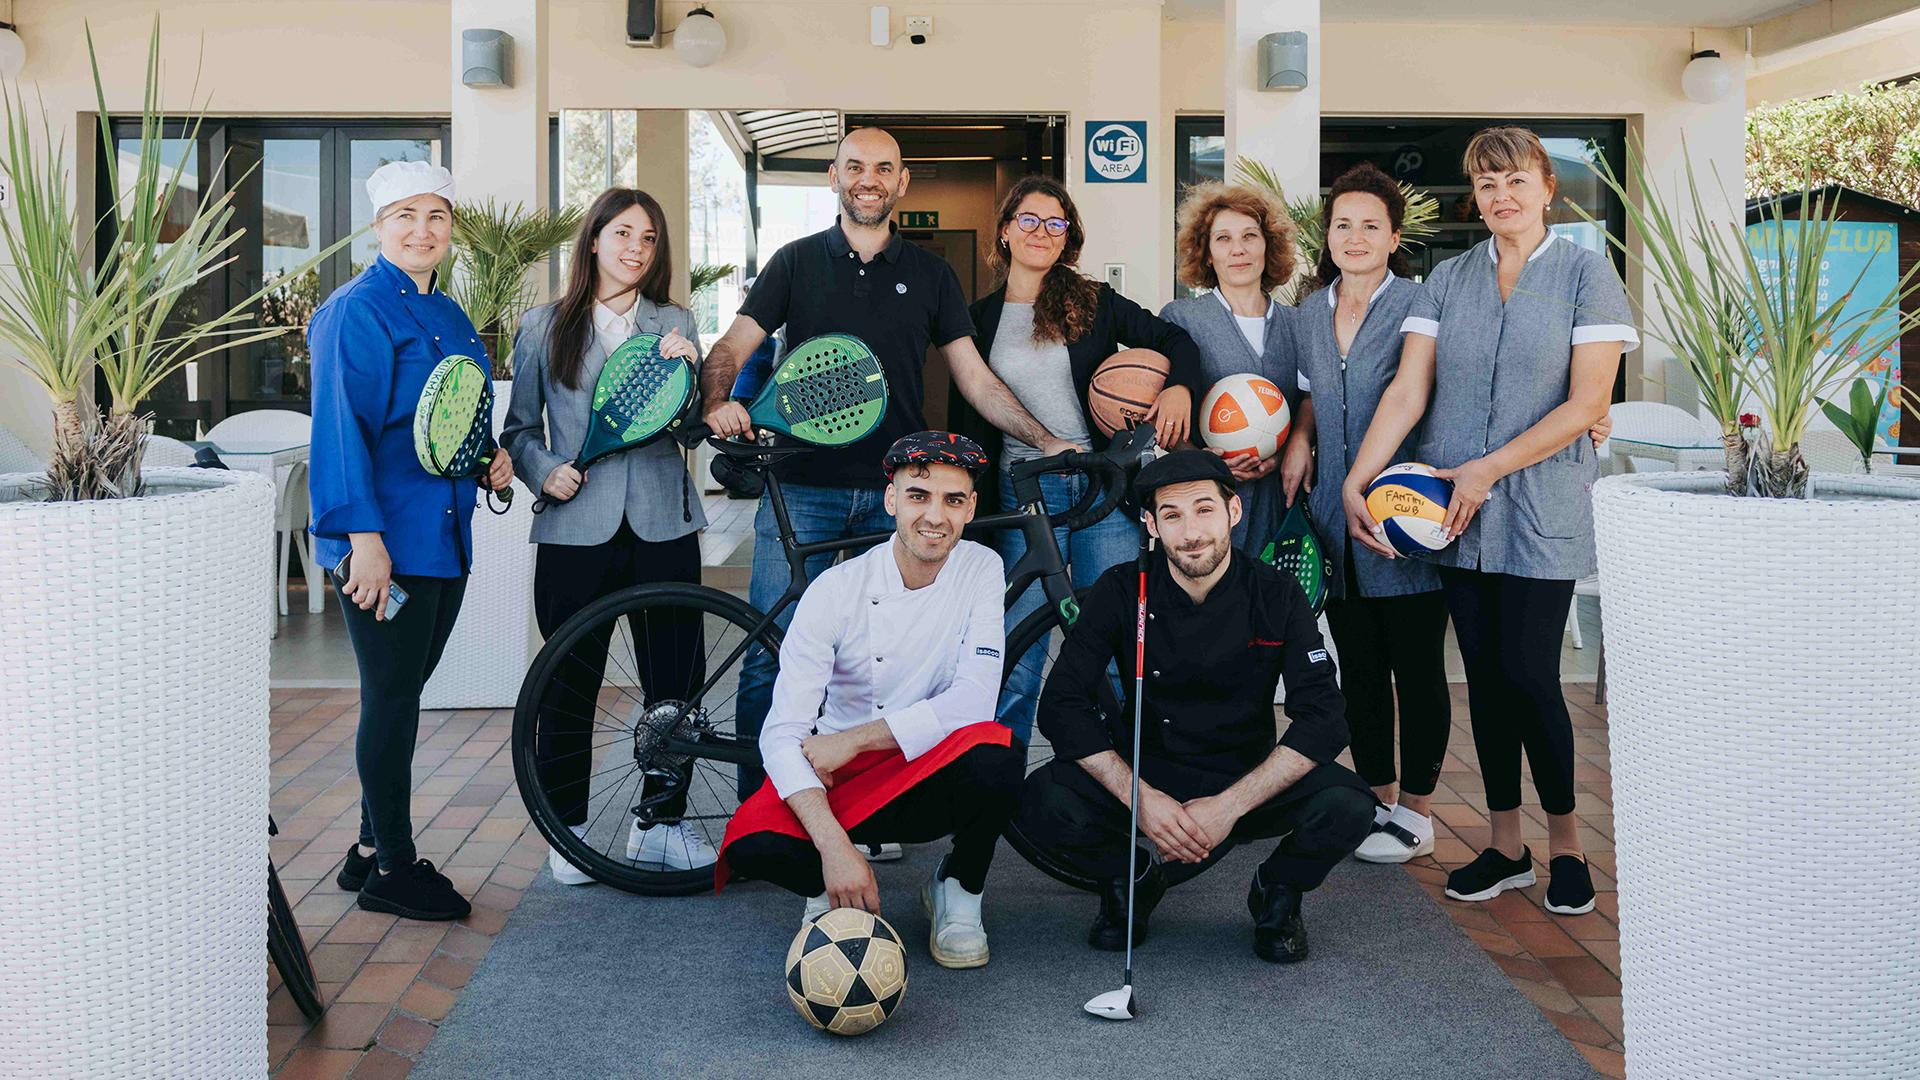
{"points": [[396, 660]]}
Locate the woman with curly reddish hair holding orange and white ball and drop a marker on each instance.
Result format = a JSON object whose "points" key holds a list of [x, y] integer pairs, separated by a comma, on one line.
{"points": [[1239, 245]]}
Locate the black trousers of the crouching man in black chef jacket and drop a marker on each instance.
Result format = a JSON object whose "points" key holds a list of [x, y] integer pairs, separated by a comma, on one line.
{"points": [[1322, 820]]}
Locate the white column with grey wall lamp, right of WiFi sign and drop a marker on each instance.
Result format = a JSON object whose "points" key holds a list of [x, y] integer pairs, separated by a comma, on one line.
{"points": [[1276, 128]]}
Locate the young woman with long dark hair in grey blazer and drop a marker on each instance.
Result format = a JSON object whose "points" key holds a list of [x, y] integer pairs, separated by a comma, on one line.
{"points": [[631, 520]]}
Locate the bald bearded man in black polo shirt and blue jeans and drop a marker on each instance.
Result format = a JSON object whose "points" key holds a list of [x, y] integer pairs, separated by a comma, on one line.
{"points": [[857, 278]]}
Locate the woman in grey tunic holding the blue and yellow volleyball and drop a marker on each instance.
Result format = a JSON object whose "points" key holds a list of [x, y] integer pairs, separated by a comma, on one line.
{"points": [[1510, 356]]}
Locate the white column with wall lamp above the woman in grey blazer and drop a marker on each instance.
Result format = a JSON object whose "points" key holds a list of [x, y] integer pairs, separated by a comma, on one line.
{"points": [[500, 134]]}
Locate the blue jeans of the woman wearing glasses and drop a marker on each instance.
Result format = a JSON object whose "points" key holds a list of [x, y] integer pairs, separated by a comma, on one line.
{"points": [[1090, 554]]}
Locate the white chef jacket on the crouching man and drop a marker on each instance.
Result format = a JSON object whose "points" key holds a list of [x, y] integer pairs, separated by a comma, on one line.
{"points": [[863, 649]]}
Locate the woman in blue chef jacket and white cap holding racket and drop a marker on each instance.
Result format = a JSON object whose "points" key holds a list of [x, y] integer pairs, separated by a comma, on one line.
{"points": [[373, 345]]}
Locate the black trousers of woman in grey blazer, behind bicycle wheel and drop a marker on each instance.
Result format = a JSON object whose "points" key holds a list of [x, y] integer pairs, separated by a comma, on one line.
{"points": [[669, 662]]}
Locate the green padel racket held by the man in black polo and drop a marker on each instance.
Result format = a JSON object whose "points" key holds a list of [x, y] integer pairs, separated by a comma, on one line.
{"points": [[828, 391]]}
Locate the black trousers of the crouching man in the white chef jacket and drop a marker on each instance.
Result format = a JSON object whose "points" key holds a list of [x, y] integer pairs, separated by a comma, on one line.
{"points": [[971, 800]]}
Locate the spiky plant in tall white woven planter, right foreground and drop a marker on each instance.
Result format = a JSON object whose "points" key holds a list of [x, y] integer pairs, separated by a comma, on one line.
{"points": [[1762, 691]]}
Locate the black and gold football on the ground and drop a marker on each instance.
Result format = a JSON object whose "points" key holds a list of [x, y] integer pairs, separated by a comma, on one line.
{"points": [[848, 971]]}
